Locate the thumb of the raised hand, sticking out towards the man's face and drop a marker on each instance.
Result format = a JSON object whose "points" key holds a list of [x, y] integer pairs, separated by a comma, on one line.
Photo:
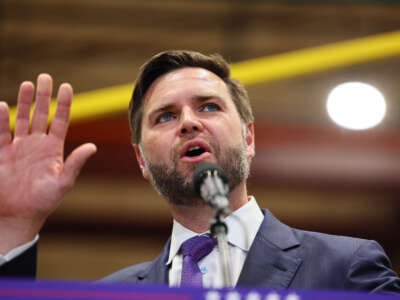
{"points": [[75, 162]]}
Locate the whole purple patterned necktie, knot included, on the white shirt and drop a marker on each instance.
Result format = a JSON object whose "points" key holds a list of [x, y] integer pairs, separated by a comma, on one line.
{"points": [[193, 250]]}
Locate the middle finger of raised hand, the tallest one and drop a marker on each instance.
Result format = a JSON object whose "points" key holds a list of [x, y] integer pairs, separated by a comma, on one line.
{"points": [[43, 95]]}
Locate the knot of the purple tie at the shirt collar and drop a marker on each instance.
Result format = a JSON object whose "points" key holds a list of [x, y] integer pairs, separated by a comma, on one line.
{"points": [[197, 247]]}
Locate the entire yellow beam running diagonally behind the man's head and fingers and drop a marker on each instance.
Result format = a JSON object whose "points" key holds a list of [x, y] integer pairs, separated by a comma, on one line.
{"points": [[276, 67]]}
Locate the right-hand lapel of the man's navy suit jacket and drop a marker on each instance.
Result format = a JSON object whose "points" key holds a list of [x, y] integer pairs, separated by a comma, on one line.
{"points": [[272, 260]]}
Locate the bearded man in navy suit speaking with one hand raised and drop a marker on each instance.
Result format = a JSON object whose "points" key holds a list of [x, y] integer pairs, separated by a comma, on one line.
{"points": [[185, 110]]}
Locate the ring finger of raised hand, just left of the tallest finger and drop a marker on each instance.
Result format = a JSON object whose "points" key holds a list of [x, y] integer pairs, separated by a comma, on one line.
{"points": [[24, 102]]}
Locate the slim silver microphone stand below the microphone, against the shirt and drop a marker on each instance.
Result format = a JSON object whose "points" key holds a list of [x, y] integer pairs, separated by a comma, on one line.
{"points": [[219, 231]]}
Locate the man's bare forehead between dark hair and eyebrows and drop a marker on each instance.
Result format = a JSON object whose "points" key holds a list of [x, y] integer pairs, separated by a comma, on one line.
{"points": [[185, 81]]}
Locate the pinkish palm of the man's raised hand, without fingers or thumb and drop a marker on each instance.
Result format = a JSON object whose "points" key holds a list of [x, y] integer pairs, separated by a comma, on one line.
{"points": [[31, 168]]}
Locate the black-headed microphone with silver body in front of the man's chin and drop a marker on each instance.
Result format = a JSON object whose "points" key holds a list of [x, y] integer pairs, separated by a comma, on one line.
{"points": [[211, 184]]}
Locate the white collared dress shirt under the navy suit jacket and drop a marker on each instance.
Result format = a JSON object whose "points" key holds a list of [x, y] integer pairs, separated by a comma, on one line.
{"points": [[243, 225]]}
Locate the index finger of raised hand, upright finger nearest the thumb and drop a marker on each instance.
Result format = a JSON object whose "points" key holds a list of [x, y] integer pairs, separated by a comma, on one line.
{"points": [[60, 122]]}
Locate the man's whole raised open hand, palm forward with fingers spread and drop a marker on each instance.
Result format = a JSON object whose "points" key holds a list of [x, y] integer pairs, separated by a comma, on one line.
{"points": [[33, 173]]}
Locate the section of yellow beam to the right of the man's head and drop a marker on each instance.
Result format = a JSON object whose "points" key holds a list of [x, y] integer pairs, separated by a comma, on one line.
{"points": [[317, 59]]}
